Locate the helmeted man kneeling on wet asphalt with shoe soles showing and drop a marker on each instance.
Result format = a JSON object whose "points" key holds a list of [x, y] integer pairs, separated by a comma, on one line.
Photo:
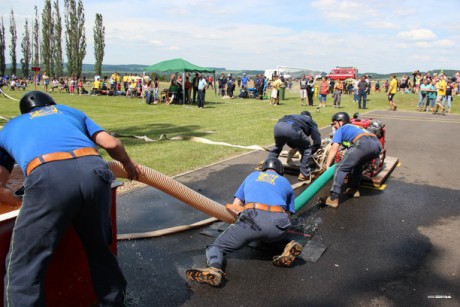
{"points": [[263, 204]]}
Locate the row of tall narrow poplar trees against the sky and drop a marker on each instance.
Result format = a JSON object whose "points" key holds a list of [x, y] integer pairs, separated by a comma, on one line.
{"points": [[41, 43]]}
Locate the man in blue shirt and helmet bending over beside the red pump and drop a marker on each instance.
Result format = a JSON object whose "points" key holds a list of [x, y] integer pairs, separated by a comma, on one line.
{"points": [[362, 147]]}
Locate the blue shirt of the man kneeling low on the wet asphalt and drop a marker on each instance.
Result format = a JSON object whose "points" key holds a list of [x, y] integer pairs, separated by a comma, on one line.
{"points": [[267, 188]]}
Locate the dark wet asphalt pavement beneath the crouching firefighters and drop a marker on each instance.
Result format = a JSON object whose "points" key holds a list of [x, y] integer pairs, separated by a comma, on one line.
{"points": [[397, 246]]}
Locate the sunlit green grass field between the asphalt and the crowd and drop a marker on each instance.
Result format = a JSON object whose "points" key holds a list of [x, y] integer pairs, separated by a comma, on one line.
{"points": [[235, 121]]}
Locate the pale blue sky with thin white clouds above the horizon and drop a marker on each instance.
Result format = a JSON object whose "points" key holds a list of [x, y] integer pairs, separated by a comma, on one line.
{"points": [[374, 36]]}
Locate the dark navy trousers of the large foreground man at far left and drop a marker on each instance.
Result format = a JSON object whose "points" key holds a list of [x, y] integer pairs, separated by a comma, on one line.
{"points": [[58, 194]]}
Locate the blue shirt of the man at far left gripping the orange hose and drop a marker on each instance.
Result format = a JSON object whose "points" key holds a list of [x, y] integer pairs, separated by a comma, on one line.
{"points": [[54, 128]]}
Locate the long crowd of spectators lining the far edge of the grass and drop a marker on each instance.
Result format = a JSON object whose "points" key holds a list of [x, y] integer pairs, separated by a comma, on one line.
{"points": [[435, 91]]}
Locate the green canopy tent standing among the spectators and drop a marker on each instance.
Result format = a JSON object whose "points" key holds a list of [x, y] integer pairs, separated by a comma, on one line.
{"points": [[180, 65]]}
